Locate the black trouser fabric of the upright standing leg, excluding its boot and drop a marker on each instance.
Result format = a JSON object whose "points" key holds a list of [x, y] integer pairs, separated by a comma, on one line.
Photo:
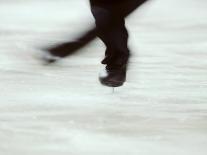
{"points": [[110, 25]]}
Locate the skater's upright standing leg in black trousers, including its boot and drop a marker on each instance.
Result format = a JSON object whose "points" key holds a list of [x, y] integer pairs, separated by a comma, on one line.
{"points": [[110, 26]]}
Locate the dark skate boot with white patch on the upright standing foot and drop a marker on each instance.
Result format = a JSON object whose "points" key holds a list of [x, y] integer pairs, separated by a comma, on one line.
{"points": [[113, 76]]}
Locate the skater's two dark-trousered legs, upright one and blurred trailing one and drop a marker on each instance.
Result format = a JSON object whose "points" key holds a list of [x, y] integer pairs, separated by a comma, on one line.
{"points": [[110, 28]]}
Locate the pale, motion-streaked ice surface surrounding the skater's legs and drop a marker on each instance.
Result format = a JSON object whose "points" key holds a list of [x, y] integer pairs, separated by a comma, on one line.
{"points": [[63, 110]]}
